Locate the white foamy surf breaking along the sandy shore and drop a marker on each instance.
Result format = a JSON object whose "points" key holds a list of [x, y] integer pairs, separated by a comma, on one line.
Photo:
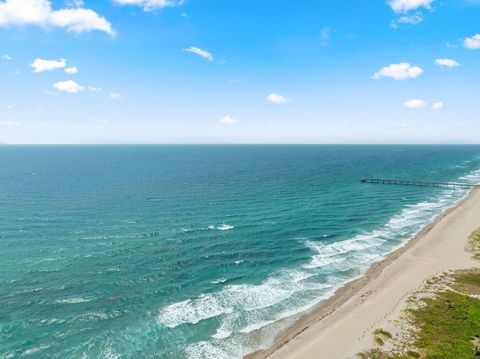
{"points": [[267, 307]]}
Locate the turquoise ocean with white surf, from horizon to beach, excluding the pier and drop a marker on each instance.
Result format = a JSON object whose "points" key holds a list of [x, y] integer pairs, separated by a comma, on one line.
{"points": [[196, 251]]}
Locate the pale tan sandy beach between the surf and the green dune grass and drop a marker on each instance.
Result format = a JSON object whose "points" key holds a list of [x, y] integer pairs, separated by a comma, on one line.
{"points": [[342, 326]]}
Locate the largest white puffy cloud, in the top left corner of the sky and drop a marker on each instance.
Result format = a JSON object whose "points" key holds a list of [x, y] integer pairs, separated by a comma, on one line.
{"points": [[40, 13]]}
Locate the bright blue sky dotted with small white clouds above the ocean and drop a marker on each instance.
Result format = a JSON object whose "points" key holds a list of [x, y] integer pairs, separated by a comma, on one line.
{"points": [[239, 71]]}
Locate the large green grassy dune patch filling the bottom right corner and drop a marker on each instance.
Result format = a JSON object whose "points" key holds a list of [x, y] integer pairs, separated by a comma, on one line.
{"points": [[444, 326]]}
